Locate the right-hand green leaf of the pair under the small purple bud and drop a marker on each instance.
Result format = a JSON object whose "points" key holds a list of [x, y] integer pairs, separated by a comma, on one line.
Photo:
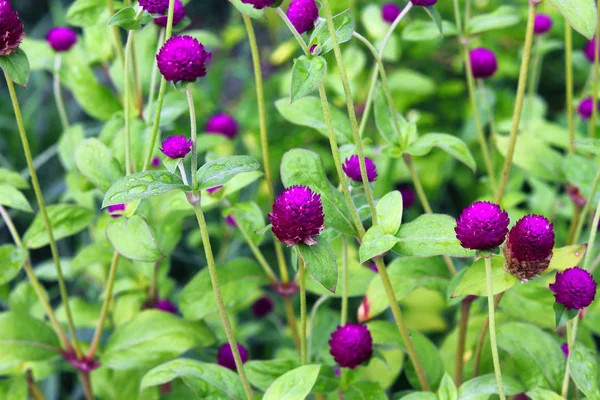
{"points": [[221, 171]]}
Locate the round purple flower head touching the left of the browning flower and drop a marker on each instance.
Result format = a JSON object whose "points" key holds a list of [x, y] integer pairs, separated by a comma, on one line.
{"points": [[482, 226]]}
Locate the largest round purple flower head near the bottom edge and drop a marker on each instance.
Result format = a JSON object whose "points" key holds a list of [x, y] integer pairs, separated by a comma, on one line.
{"points": [[351, 345]]}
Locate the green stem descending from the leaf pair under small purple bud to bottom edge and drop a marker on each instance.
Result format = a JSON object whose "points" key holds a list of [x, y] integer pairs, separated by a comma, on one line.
{"points": [[214, 278]]}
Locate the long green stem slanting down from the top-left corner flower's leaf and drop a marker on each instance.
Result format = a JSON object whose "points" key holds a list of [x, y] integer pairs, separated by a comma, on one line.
{"points": [[40, 199]]}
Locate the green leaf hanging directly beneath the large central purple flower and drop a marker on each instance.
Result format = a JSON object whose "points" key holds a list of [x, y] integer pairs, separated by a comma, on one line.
{"points": [[320, 262]]}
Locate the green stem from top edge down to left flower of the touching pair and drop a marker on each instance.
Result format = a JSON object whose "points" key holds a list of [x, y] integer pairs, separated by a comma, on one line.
{"points": [[518, 104]]}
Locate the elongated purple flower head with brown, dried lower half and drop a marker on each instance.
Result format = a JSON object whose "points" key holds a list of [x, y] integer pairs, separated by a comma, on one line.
{"points": [[528, 248]]}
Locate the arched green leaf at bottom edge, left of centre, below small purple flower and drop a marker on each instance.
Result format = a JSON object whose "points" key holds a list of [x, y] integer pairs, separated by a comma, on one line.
{"points": [[206, 381]]}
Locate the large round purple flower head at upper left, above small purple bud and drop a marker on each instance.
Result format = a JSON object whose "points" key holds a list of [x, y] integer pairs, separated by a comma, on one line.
{"points": [[182, 58]]}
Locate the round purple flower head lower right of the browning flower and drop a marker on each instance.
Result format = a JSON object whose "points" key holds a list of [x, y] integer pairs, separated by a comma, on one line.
{"points": [[574, 288]]}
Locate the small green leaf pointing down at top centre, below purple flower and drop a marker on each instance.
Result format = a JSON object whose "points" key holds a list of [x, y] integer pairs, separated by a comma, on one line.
{"points": [[306, 76]]}
